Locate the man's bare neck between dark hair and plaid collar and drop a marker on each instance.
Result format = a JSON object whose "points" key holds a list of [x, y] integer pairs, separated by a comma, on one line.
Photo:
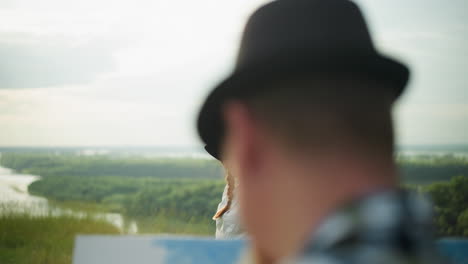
{"points": [[320, 186]]}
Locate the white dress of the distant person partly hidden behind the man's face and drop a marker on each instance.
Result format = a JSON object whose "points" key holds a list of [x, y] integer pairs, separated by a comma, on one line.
{"points": [[228, 226]]}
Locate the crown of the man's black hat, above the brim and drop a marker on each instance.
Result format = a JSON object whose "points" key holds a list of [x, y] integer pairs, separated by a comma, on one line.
{"points": [[304, 27]]}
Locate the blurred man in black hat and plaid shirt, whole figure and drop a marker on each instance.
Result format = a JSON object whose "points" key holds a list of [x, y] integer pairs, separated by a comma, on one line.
{"points": [[304, 123]]}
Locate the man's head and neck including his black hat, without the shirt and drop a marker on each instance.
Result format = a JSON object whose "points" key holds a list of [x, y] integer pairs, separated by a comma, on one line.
{"points": [[304, 121]]}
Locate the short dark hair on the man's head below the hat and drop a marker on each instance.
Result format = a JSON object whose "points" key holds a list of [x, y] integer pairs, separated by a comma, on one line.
{"points": [[330, 111]]}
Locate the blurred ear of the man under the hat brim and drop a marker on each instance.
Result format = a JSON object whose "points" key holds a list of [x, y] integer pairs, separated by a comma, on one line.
{"points": [[242, 138]]}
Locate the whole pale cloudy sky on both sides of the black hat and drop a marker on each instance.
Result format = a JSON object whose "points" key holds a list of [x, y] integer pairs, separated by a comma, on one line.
{"points": [[120, 73]]}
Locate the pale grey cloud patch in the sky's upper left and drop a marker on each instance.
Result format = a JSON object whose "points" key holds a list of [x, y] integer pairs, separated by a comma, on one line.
{"points": [[30, 61]]}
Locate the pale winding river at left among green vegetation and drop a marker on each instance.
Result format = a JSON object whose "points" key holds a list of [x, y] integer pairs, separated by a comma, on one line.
{"points": [[14, 192]]}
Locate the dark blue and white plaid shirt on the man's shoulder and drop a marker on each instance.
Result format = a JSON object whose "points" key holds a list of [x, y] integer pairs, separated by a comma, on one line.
{"points": [[389, 227]]}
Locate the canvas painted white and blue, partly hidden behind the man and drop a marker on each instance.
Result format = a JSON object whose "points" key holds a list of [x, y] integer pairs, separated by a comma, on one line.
{"points": [[194, 250]]}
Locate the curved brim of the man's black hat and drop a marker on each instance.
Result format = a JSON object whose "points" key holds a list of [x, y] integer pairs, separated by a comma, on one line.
{"points": [[239, 84]]}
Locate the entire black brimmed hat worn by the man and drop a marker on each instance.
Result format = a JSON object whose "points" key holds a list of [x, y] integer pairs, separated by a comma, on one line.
{"points": [[298, 38]]}
